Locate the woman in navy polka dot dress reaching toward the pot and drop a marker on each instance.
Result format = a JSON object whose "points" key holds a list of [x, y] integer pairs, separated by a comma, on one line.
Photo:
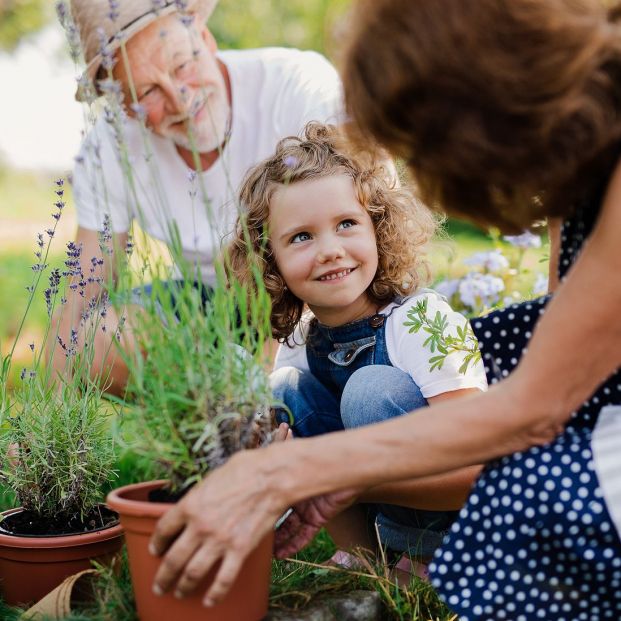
{"points": [[506, 111]]}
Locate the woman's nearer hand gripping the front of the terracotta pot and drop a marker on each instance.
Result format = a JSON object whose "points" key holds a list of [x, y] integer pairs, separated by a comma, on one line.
{"points": [[224, 517]]}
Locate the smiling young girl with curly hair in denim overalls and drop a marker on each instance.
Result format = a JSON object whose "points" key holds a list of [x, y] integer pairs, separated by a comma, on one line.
{"points": [[346, 242]]}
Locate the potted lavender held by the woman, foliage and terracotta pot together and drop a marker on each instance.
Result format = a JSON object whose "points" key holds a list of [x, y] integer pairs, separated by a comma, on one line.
{"points": [[197, 395]]}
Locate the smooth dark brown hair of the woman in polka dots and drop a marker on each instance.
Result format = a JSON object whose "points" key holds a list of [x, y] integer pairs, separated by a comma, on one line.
{"points": [[505, 111]]}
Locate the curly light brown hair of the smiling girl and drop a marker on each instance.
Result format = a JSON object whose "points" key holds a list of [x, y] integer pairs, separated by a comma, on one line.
{"points": [[402, 225]]}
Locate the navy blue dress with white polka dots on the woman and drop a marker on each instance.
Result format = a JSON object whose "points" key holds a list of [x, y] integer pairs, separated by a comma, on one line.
{"points": [[535, 540]]}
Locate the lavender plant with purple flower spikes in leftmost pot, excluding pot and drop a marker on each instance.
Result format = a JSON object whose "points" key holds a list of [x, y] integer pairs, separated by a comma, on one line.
{"points": [[55, 441]]}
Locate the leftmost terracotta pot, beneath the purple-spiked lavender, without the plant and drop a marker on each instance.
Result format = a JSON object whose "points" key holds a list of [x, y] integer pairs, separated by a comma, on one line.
{"points": [[30, 567]]}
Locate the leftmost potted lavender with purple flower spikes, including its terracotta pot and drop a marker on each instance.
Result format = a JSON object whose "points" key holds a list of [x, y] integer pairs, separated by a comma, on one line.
{"points": [[57, 453]]}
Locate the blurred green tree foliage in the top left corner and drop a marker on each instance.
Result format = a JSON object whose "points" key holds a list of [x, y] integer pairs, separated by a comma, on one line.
{"points": [[19, 18]]}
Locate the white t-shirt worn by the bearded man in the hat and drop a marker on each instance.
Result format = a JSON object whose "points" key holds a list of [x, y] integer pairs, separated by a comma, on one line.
{"points": [[275, 92]]}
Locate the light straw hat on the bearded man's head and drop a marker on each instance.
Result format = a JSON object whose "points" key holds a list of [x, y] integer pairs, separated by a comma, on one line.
{"points": [[95, 23]]}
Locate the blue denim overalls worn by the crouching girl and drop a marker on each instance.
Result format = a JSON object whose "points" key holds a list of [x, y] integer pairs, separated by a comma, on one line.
{"points": [[353, 383]]}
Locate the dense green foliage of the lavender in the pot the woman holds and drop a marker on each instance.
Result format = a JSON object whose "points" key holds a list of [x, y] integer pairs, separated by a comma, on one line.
{"points": [[198, 389]]}
